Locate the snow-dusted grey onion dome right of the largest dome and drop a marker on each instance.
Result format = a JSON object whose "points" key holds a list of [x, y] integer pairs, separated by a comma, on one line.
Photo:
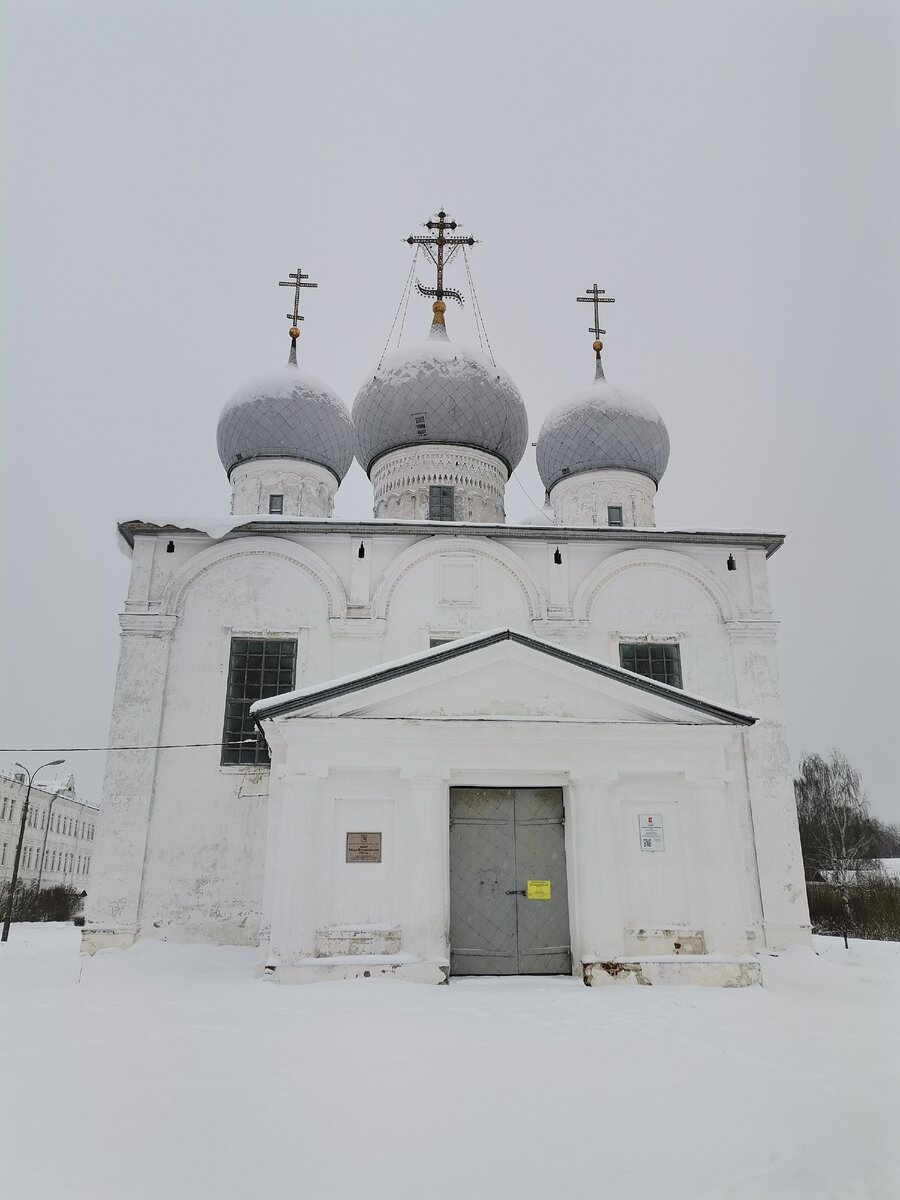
{"points": [[603, 428]]}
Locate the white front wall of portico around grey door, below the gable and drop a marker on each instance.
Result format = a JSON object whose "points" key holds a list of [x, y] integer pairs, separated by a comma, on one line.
{"points": [[703, 883]]}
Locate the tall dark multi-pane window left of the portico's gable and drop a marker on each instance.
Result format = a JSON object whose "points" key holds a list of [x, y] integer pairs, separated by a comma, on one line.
{"points": [[259, 668]]}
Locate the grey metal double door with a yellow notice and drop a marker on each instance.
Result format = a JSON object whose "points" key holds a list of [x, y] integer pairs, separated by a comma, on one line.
{"points": [[507, 851]]}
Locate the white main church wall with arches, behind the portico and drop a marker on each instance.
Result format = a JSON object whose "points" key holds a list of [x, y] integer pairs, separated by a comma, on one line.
{"points": [[182, 842]]}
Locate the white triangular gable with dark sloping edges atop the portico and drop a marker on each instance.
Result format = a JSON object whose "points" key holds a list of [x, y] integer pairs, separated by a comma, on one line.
{"points": [[500, 675]]}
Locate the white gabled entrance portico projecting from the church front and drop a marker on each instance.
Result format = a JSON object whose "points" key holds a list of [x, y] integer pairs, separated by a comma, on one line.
{"points": [[388, 752]]}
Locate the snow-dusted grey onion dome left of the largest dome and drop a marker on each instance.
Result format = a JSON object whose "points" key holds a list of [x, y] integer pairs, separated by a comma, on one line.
{"points": [[286, 415]]}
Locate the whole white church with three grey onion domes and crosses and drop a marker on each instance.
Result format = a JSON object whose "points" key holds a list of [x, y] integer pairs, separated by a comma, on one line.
{"points": [[429, 743]]}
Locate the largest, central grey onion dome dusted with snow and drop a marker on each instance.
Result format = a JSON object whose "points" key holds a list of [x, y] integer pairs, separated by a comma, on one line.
{"points": [[440, 393]]}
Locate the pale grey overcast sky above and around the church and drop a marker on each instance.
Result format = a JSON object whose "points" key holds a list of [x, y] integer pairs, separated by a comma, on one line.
{"points": [[728, 171]]}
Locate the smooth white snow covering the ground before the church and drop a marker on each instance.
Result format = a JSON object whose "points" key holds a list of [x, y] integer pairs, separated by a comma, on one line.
{"points": [[170, 1072]]}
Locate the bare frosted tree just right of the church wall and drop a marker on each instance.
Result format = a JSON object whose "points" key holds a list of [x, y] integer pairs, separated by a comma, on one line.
{"points": [[836, 827]]}
